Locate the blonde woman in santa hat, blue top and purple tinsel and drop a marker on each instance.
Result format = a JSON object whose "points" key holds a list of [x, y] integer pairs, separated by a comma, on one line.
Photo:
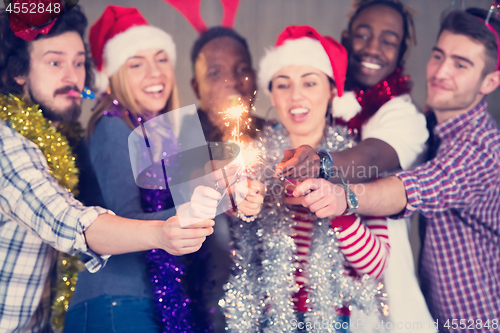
{"points": [[139, 61]]}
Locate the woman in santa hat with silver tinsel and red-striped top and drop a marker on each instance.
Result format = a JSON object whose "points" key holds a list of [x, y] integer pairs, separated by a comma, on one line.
{"points": [[295, 268]]}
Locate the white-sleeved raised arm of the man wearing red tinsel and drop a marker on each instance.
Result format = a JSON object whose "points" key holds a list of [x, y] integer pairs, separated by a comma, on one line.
{"points": [[393, 138]]}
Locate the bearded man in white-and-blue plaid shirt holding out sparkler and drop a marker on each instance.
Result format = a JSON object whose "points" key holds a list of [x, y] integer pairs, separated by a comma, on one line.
{"points": [[37, 215]]}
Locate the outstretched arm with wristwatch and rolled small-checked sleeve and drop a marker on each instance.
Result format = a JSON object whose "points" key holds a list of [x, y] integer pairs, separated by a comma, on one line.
{"points": [[451, 181]]}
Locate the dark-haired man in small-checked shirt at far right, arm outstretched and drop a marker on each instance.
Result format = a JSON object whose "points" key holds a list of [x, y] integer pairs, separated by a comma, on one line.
{"points": [[458, 191]]}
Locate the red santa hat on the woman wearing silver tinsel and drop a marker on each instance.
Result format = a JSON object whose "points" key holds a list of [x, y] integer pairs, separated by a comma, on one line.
{"points": [[304, 46]]}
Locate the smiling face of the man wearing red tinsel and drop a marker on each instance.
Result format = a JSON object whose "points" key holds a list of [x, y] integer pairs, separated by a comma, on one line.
{"points": [[375, 40]]}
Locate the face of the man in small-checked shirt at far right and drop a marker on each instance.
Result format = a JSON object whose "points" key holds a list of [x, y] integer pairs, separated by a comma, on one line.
{"points": [[455, 74]]}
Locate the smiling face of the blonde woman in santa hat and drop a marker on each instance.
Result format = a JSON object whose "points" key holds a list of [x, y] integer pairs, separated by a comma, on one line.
{"points": [[150, 79]]}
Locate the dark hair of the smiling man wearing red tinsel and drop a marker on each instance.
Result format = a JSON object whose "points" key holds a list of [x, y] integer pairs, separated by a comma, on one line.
{"points": [[409, 35]]}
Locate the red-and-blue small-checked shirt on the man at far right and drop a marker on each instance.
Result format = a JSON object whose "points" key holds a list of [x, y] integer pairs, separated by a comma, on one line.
{"points": [[459, 193]]}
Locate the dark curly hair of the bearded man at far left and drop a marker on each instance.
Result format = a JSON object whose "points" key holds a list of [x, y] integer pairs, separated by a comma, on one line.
{"points": [[15, 52]]}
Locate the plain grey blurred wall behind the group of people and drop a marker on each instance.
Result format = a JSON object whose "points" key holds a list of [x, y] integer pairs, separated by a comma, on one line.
{"points": [[260, 22]]}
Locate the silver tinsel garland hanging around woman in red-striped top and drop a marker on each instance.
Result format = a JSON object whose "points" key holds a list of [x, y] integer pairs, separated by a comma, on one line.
{"points": [[259, 294]]}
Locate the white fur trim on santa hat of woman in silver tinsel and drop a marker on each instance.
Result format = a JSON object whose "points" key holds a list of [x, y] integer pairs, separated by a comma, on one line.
{"points": [[303, 51]]}
